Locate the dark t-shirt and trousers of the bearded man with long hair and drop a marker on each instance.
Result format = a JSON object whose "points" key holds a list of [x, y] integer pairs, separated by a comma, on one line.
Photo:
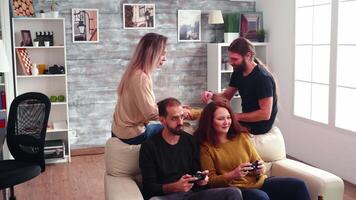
{"points": [[257, 85]]}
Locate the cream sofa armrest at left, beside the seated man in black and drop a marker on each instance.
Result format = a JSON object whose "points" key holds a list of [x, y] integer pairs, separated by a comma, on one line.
{"points": [[121, 188]]}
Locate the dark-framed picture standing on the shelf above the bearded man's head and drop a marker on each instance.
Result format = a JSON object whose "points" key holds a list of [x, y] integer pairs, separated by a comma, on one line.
{"points": [[250, 24]]}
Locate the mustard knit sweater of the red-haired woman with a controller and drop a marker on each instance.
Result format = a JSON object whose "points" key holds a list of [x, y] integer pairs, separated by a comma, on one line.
{"points": [[228, 156]]}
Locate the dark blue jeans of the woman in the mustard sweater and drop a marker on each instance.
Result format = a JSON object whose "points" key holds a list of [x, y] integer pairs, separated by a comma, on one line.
{"points": [[278, 188]]}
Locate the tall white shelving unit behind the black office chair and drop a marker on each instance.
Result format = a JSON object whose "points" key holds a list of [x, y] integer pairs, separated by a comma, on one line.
{"points": [[49, 84]]}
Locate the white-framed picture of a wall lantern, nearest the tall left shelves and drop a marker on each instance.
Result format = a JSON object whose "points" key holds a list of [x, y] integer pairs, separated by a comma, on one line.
{"points": [[85, 25]]}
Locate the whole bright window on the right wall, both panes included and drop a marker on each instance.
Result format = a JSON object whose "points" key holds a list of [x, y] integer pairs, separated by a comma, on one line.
{"points": [[325, 44]]}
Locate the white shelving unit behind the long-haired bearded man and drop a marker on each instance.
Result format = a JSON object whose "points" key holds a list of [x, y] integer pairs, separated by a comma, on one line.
{"points": [[219, 70]]}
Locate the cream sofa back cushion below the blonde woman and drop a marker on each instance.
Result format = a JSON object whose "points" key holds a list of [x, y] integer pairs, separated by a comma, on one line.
{"points": [[121, 158]]}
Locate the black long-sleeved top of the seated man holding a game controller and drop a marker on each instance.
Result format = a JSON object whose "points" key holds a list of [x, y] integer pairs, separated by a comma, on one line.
{"points": [[162, 163]]}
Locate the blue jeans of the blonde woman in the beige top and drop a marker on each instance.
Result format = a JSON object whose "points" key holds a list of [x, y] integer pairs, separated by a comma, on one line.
{"points": [[151, 130]]}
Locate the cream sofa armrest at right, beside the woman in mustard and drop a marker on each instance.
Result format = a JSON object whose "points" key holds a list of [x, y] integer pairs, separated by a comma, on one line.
{"points": [[319, 182]]}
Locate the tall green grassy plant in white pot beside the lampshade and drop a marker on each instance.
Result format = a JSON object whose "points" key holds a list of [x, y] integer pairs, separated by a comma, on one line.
{"points": [[231, 26]]}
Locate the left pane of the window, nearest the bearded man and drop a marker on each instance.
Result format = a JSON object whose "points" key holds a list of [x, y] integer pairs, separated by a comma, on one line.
{"points": [[312, 59]]}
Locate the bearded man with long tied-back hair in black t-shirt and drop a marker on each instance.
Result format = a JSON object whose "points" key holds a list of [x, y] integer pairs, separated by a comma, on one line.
{"points": [[255, 85]]}
